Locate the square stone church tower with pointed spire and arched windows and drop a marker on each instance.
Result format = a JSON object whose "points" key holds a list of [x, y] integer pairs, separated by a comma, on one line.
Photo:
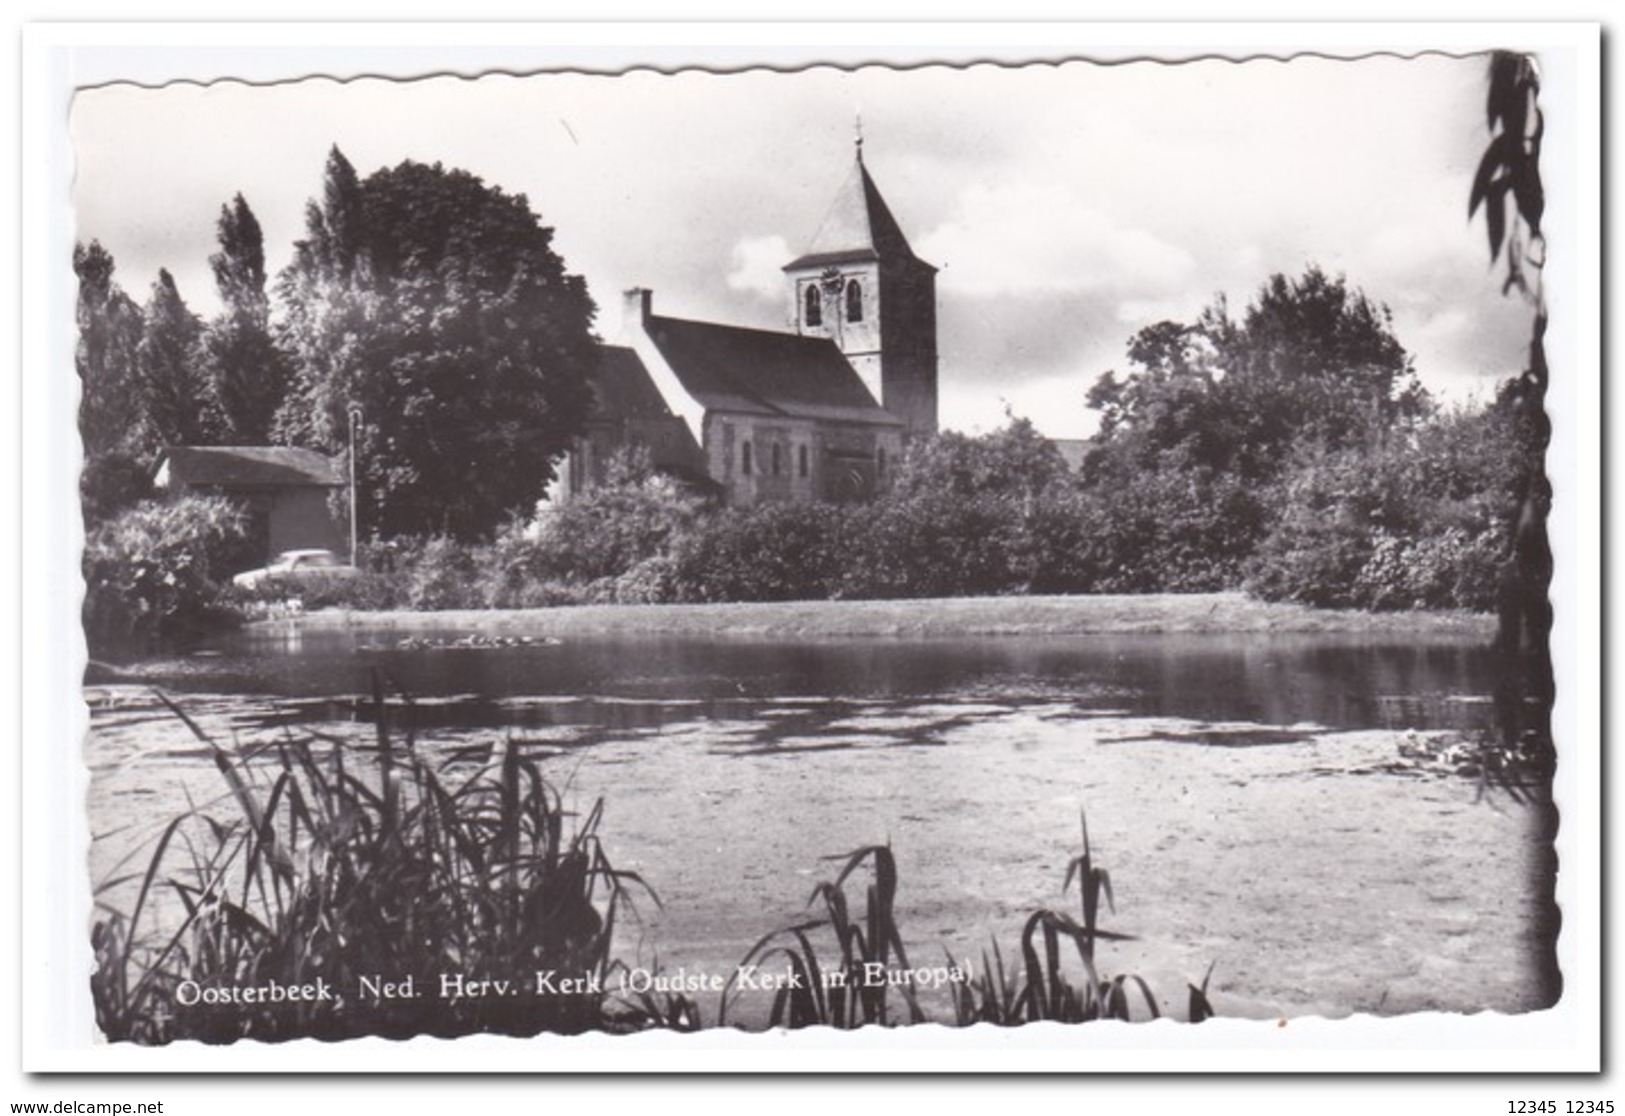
{"points": [[862, 285]]}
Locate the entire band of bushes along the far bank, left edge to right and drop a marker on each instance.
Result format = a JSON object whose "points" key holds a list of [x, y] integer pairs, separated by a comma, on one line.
{"points": [[1416, 522]]}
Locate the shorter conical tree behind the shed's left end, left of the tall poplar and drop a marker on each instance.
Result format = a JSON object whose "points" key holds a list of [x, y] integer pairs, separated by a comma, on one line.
{"points": [[173, 396]]}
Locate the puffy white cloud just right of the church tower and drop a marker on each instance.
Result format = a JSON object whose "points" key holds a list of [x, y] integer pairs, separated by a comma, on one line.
{"points": [[1020, 238]]}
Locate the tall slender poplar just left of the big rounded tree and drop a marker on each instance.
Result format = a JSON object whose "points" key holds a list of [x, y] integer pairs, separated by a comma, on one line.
{"points": [[246, 373]]}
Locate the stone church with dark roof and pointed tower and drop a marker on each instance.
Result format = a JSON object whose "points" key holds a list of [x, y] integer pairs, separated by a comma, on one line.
{"points": [[823, 413]]}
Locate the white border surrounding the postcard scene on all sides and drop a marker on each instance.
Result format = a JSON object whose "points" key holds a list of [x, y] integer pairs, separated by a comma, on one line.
{"points": [[59, 1034]]}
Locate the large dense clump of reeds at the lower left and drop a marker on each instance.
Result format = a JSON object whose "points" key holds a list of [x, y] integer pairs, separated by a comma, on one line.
{"points": [[451, 894]]}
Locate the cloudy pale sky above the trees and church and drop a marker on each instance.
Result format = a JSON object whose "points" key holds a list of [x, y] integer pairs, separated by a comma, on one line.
{"points": [[1067, 205]]}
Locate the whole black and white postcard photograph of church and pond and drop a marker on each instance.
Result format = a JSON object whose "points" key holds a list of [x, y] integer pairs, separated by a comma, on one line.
{"points": [[1038, 543]]}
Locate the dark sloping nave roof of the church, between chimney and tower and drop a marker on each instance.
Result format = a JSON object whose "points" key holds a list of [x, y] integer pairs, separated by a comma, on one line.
{"points": [[729, 368]]}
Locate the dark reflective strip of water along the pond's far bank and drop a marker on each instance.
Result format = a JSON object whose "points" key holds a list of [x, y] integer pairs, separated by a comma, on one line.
{"points": [[641, 683]]}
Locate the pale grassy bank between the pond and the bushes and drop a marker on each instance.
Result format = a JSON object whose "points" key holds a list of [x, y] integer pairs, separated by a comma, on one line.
{"points": [[1163, 613]]}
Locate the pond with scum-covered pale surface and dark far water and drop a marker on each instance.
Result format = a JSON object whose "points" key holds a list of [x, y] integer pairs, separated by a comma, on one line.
{"points": [[1246, 792]]}
